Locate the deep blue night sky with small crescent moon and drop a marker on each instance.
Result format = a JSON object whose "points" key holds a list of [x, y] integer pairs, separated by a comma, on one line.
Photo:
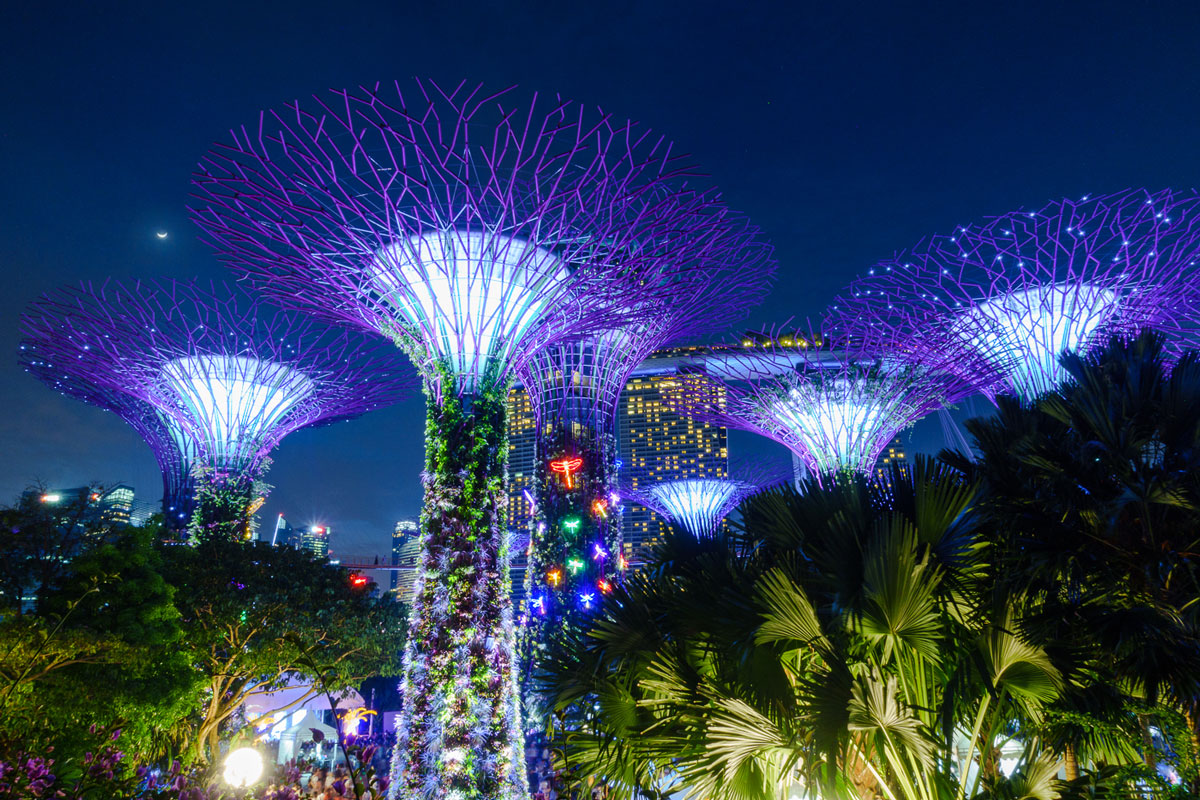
{"points": [[845, 131]]}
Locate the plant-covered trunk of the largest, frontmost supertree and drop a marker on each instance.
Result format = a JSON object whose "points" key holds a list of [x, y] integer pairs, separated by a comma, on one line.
{"points": [[460, 733]]}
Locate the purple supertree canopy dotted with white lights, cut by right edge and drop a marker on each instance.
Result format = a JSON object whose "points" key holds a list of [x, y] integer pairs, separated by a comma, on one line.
{"points": [[1024, 287]]}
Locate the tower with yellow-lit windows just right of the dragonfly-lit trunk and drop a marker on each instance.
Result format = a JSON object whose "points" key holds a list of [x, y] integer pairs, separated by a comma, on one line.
{"points": [[658, 444]]}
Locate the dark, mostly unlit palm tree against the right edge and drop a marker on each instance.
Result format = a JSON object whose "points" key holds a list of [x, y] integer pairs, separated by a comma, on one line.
{"points": [[1094, 501]]}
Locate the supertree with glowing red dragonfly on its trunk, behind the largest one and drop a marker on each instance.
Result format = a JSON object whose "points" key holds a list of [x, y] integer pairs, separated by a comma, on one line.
{"points": [[575, 389]]}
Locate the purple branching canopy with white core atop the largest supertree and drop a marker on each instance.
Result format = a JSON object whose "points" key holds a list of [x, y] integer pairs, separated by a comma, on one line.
{"points": [[467, 231]]}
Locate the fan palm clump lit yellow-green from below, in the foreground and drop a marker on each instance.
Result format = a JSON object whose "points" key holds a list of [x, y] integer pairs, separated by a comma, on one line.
{"points": [[849, 640]]}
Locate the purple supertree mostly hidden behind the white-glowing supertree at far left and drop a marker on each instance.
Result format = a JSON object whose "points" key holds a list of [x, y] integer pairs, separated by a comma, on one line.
{"points": [[176, 456]]}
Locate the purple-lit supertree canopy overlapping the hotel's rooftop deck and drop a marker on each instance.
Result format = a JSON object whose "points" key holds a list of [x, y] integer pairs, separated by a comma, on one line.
{"points": [[835, 402]]}
